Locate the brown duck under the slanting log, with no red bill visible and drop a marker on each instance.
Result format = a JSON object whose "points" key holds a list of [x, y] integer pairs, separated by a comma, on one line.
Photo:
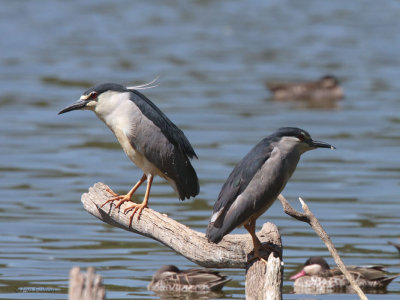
{"points": [[170, 278]]}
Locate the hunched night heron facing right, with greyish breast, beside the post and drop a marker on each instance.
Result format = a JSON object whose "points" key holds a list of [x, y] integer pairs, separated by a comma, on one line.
{"points": [[256, 182]]}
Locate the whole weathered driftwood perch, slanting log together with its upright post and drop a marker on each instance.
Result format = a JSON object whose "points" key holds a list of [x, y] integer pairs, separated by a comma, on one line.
{"points": [[234, 251]]}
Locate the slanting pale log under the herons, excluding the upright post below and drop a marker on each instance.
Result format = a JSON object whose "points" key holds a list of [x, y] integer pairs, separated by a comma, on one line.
{"points": [[231, 252]]}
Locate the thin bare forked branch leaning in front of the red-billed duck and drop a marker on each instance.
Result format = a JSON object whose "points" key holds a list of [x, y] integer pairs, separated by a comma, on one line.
{"points": [[309, 218]]}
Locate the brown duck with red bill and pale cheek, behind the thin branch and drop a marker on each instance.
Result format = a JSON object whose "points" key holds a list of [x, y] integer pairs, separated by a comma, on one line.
{"points": [[317, 277]]}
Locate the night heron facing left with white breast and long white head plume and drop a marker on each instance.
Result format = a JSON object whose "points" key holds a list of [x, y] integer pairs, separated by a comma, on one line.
{"points": [[148, 137]]}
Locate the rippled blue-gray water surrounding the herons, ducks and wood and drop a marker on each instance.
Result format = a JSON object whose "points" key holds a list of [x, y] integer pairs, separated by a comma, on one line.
{"points": [[213, 58]]}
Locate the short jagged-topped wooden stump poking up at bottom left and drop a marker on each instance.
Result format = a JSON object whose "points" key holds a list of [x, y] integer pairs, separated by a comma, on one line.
{"points": [[85, 286]]}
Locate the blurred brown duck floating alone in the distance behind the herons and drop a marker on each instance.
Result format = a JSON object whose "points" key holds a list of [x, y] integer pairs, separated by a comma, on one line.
{"points": [[325, 88]]}
